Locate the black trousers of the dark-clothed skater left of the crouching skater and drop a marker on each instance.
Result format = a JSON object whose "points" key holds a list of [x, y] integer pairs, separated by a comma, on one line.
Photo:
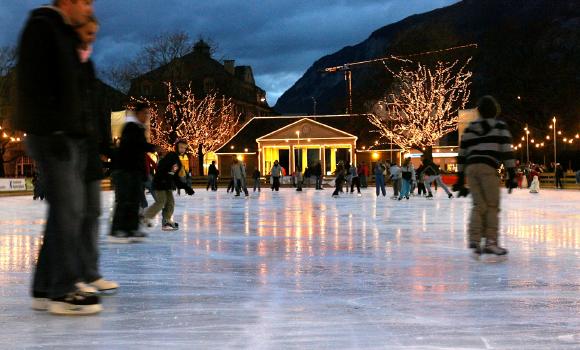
{"points": [[128, 193]]}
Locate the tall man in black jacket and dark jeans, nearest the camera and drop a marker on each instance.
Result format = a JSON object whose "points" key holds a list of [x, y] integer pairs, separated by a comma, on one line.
{"points": [[49, 110]]}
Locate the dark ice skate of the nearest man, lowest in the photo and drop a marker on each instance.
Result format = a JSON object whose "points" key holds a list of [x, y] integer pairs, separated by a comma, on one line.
{"points": [[75, 304]]}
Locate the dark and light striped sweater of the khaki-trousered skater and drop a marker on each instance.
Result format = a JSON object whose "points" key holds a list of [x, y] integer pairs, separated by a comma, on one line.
{"points": [[486, 141]]}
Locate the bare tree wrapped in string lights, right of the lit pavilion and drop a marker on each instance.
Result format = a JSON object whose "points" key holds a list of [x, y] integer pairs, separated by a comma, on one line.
{"points": [[423, 104]]}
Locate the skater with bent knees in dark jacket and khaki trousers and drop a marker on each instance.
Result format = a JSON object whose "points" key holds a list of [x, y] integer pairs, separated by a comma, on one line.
{"points": [[165, 181]]}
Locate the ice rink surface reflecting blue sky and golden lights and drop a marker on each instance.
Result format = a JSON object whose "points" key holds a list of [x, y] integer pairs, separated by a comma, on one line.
{"points": [[294, 270]]}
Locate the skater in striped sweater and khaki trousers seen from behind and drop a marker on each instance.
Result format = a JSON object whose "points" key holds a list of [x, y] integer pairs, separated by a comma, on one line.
{"points": [[485, 144]]}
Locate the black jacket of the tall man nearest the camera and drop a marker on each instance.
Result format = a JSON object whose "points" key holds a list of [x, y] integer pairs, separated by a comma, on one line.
{"points": [[49, 77]]}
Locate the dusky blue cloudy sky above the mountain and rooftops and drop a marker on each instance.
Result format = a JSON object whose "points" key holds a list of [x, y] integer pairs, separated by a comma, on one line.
{"points": [[280, 39]]}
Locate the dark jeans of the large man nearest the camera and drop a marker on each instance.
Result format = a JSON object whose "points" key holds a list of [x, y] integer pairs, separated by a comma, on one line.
{"points": [[62, 162]]}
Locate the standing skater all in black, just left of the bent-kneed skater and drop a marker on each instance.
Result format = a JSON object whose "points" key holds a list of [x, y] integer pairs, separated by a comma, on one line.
{"points": [[129, 176]]}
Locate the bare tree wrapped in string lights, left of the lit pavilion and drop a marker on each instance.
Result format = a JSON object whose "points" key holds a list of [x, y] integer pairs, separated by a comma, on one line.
{"points": [[205, 124]]}
